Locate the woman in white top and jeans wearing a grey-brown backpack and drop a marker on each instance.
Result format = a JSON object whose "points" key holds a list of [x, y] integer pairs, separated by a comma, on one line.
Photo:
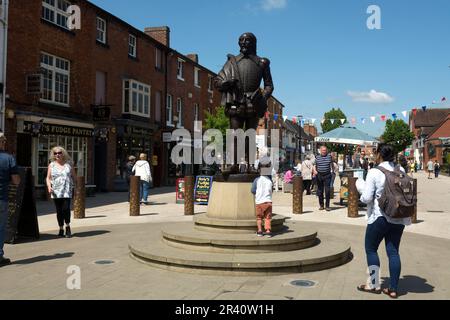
{"points": [[383, 217]]}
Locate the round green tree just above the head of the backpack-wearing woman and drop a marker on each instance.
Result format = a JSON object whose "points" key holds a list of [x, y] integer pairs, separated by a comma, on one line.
{"points": [[398, 135]]}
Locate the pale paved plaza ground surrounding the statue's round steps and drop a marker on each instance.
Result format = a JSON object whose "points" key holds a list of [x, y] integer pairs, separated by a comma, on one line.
{"points": [[40, 267]]}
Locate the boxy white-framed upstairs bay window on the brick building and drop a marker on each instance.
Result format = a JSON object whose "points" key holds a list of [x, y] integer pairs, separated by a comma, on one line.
{"points": [[140, 90]]}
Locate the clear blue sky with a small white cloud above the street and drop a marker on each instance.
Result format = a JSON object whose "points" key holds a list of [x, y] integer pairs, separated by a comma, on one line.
{"points": [[323, 55]]}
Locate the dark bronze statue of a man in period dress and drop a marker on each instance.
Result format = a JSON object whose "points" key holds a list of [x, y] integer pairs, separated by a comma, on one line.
{"points": [[239, 81]]}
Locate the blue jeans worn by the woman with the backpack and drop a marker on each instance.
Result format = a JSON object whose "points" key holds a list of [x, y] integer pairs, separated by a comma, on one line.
{"points": [[392, 235]]}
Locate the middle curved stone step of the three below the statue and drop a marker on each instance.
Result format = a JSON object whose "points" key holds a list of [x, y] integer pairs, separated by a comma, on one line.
{"points": [[185, 236]]}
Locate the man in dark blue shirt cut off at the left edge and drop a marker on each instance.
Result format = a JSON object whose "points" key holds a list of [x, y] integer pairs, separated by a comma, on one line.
{"points": [[8, 172]]}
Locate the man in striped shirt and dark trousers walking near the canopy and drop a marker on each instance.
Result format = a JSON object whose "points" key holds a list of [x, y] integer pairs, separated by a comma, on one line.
{"points": [[322, 171]]}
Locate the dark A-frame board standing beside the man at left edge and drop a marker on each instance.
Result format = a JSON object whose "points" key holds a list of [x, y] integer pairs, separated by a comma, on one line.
{"points": [[22, 221]]}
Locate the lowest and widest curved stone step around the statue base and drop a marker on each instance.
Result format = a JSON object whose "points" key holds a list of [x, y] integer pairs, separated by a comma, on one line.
{"points": [[331, 252]]}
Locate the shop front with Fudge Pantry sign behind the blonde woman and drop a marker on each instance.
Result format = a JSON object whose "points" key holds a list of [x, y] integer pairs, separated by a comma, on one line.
{"points": [[37, 136]]}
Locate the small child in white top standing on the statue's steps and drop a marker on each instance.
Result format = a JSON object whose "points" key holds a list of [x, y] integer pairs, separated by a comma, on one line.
{"points": [[262, 188]]}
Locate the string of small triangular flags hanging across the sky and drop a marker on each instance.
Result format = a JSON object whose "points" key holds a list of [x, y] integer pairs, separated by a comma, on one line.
{"points": [[353, 120]]}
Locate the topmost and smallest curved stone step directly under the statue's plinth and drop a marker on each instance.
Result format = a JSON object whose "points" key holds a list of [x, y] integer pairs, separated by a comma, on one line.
{"points": [[205, 223]]}
